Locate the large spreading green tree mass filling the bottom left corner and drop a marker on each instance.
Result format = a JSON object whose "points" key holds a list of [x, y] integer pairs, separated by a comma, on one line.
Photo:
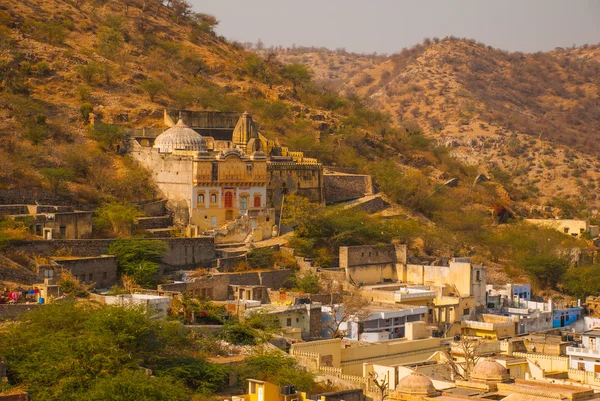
{"points": [[77, 351]]}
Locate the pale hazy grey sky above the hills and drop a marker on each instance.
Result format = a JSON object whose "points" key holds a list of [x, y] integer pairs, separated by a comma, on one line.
{"points": [[386, 26]]}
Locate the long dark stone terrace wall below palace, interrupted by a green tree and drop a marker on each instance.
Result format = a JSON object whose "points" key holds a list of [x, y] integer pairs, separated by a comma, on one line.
{"points": [[181, 252]]}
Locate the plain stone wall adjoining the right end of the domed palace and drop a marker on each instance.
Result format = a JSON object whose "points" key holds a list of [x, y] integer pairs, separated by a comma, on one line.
{"points": [[343, 187]]}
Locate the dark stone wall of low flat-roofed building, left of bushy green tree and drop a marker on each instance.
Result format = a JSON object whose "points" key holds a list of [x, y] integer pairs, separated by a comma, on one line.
{"points": [[101, 270]]}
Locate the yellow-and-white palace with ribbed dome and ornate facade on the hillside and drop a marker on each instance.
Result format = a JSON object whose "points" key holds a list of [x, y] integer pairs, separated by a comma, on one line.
{"points": [[220, 176]]}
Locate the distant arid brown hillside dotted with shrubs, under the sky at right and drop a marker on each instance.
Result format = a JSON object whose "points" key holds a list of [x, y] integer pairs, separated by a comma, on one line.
{"points": [[528, 120]]}
